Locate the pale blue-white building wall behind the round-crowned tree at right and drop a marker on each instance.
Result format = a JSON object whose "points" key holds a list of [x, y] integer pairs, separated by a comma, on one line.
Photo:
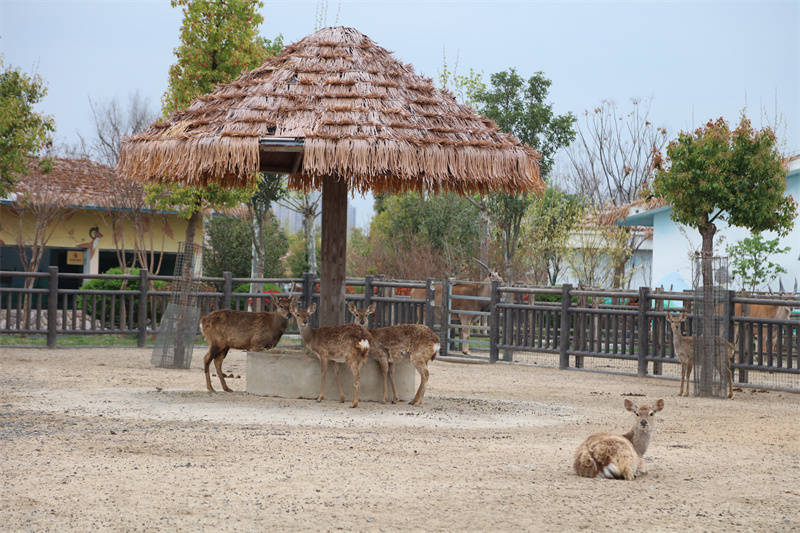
{"points": [[675, 244]]}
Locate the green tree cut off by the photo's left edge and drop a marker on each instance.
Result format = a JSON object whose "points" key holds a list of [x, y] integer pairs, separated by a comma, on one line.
{"points": [[23, 132]]}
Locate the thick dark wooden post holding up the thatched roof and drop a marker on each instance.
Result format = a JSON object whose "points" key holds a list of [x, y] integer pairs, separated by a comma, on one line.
{"points": [[334, 251]]}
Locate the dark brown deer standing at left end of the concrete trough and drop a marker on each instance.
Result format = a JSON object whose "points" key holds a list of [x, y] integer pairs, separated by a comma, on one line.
{"points": [[225, 329]]}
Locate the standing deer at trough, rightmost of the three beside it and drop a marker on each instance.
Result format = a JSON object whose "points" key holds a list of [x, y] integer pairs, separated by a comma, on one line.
{"points": [[414, 342]]}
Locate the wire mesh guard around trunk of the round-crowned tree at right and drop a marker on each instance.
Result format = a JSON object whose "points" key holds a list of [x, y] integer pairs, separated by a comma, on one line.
{"points": [[711, 367]]}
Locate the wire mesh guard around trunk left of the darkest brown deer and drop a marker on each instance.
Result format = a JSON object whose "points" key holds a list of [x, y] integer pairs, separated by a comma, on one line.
{"points": [[176, 334]]}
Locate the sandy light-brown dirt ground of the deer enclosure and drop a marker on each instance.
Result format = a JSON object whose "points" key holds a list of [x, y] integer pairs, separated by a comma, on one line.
{"points": [[98, 439]]}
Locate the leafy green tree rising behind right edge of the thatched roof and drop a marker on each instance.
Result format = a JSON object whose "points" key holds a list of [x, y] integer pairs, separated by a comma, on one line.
{"points": [[519, 107]]}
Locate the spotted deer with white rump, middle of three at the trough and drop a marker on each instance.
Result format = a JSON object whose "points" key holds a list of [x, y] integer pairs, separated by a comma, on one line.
{"points": [[339, 344]]}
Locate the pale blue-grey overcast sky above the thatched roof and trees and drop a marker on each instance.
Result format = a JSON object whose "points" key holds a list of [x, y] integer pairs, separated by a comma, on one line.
{"points": [[696, 60]]}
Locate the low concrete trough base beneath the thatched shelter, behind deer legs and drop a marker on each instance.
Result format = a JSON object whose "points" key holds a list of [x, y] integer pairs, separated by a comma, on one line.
{"points": [[290, 375]]}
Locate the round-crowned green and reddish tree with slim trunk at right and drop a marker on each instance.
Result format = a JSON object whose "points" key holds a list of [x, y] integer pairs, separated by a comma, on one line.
{"points": [[733, 175]]}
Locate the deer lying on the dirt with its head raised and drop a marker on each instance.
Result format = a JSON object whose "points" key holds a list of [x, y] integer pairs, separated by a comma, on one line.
{"points": [[610, 456]]}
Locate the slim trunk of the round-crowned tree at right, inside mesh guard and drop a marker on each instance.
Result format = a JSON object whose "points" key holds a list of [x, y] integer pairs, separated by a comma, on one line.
{"points": [[706, 358]]}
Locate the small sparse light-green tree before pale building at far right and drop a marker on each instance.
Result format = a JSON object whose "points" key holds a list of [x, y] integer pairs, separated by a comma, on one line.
{"points": [[751, 260]]}
